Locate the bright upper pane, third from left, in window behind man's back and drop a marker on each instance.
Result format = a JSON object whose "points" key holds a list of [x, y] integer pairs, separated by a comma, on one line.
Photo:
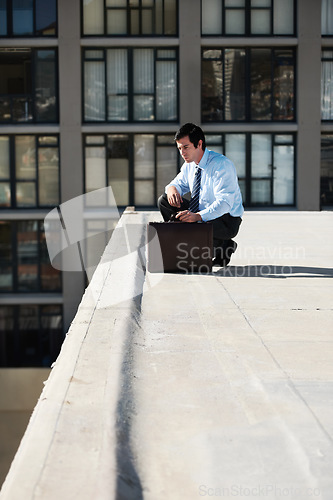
{"points": [[261, 159]]}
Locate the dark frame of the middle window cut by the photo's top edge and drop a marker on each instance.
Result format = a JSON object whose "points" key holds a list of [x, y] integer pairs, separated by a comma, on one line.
{"points": [[128, 8]]}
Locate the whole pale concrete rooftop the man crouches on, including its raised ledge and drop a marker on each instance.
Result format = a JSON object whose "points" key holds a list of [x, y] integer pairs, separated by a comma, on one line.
{"points": [[180, 387]]}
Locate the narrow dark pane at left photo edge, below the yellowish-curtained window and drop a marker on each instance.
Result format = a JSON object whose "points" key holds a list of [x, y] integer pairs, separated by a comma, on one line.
{"points": [[6, 258]]}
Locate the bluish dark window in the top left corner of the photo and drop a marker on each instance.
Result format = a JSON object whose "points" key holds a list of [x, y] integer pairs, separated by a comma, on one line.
{"points": [[25, 18]]}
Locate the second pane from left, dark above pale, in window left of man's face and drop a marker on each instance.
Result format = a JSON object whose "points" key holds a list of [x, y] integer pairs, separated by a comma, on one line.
{"points": [[118, 167]]}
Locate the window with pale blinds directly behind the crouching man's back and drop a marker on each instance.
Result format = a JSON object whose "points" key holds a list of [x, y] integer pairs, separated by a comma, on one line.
{"points": [[265, 165]]}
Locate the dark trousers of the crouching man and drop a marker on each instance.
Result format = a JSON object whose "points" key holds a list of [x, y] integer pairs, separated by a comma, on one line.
{"points": [[224, 227]]}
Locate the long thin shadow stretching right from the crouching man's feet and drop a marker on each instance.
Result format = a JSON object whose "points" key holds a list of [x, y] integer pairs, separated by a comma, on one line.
{"points": [[273, 271]]}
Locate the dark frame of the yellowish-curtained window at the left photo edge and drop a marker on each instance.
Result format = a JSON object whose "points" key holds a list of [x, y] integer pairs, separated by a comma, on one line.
{"points": [[12, 180]]}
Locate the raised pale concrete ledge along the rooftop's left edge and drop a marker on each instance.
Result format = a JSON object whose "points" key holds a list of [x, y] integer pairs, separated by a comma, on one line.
{"points": [[70, 447]]}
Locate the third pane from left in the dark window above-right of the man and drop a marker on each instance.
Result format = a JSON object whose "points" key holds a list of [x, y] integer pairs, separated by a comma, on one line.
{"points": [[261, 84]]}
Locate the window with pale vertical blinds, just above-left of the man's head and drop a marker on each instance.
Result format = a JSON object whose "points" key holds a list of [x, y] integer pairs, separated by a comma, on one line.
{"points": [[130, 85]]}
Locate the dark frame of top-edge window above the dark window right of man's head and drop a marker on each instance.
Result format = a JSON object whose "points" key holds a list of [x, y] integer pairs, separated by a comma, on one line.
{"points": [[247, 21]]}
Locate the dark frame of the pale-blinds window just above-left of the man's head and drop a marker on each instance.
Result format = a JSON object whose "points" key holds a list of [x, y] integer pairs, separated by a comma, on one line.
{"points": [[130, 94]]}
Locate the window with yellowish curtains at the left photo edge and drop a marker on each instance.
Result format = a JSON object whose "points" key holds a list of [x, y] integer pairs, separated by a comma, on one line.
{"points": [[29, 171]]}
